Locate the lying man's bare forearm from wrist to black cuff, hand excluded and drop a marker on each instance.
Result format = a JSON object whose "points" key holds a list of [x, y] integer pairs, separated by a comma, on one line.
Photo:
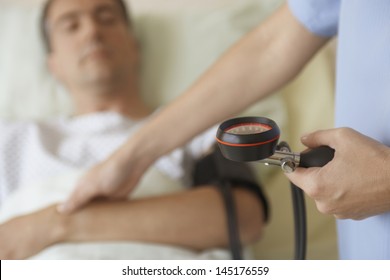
{"points": [[194, 219]]}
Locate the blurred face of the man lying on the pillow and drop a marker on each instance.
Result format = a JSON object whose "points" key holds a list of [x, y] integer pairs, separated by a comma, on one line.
{"points": [[90, 42]]}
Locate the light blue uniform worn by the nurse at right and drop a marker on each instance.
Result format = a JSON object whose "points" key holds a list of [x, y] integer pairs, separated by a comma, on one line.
{"points": [[362, 94]]}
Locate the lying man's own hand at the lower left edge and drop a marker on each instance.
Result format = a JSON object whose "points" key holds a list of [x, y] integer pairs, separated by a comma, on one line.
{"points": [[27, 235]]}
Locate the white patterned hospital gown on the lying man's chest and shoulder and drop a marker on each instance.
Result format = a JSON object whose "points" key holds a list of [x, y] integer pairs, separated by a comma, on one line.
{"points": [[34, 151]]}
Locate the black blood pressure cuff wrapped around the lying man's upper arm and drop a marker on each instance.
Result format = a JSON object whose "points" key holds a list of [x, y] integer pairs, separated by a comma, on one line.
{"points": [[215, 169]]}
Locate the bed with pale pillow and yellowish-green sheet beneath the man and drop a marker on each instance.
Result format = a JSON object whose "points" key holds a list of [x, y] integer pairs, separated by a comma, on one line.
{"points": [[179, 40]]}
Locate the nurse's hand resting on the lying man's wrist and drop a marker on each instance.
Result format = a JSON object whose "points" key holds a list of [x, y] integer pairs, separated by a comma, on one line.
{"points": [[114, 178]]}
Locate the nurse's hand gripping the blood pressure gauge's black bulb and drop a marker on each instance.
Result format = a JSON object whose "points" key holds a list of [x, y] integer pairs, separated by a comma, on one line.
{"points": [[356, 183]]}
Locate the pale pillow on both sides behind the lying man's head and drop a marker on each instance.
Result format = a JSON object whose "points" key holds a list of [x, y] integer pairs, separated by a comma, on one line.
{"points": [[178, 42]]}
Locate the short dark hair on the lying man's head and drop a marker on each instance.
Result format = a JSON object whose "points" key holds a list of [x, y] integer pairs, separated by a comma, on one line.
{"points": [[45, 13]]}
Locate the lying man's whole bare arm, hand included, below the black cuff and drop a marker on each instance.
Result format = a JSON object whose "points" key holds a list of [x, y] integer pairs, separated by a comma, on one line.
{"points": [[195, 219]]}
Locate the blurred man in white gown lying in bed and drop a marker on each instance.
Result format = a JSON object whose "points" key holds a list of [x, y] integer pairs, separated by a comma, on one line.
{"points": [[92, 52]]}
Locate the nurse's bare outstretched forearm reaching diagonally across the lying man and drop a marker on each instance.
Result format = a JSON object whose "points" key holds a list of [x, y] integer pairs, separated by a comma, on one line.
{"points": [[256, 66]]}
